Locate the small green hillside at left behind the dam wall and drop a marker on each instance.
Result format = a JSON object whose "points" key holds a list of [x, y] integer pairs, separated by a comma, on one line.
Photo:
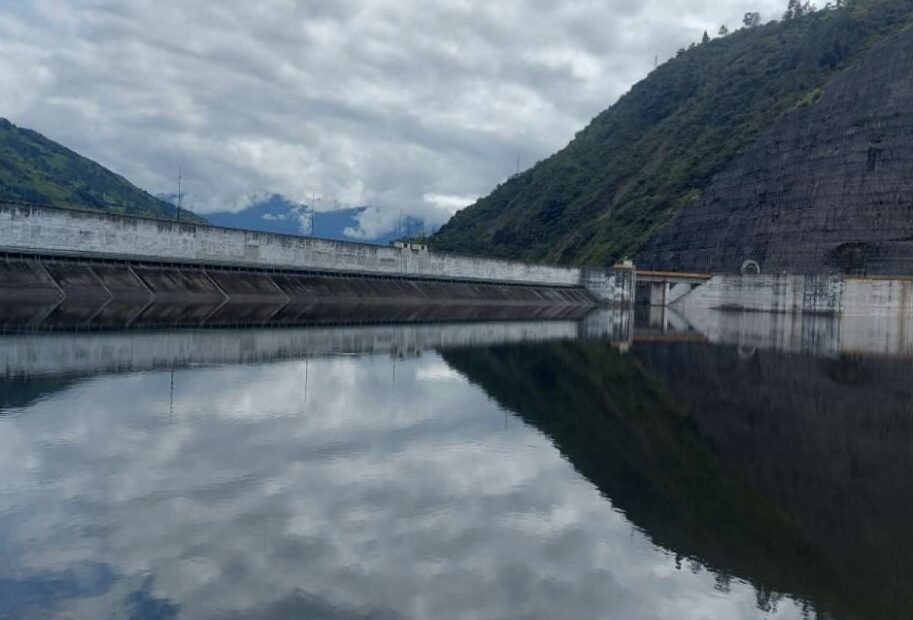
{"points": [[37, 170]]}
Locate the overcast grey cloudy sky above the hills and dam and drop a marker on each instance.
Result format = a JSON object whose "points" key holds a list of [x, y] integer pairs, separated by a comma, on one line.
{"points": [[412, 105]]}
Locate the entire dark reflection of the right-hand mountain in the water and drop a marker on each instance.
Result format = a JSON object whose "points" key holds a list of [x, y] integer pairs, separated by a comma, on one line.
{"points": [[789, 472]]}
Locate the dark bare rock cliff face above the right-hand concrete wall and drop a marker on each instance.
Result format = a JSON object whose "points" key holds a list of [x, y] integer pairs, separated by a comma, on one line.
{"points": [[827, 189]]}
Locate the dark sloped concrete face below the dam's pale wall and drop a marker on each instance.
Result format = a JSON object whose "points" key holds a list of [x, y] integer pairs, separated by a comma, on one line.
{"points": [[183, 285]]}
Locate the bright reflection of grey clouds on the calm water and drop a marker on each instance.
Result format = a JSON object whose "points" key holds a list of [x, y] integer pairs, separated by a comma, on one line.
{"points": [[393, 490]]}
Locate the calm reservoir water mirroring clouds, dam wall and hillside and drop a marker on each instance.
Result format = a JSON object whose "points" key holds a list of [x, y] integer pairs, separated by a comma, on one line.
{"points": [[759, 468]]}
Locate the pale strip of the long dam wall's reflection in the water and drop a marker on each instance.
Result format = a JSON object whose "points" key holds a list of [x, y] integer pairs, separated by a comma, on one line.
{"points": [[97, 353]]}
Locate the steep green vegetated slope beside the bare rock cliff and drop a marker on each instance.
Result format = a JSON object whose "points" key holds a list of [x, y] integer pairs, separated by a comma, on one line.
{"points": [[641, 161]]}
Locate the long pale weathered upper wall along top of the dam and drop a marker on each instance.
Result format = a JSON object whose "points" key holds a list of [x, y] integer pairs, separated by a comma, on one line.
{"points": [[64, 230]]}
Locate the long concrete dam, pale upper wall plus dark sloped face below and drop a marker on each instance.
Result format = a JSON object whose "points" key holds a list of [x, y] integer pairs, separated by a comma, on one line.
{"points": [[62, 252]]}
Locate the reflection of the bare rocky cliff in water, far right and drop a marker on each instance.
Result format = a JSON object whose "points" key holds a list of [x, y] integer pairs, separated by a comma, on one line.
{"points": [[829, 440]]}
